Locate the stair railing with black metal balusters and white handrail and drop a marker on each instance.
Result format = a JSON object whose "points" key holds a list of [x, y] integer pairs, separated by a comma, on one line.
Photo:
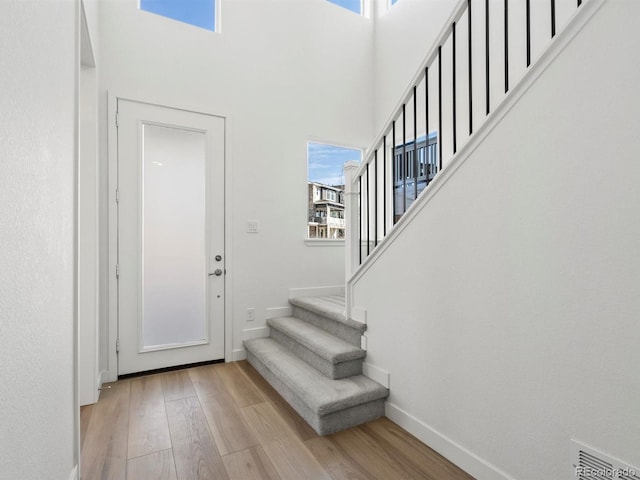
{"points": [[423, 132]]}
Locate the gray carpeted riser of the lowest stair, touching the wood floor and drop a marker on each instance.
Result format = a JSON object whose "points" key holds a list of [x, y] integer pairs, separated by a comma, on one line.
{"points": [[327, 424]]}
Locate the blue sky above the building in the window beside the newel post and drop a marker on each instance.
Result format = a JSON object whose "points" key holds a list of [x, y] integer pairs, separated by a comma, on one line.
{"points": [[326, 162]]}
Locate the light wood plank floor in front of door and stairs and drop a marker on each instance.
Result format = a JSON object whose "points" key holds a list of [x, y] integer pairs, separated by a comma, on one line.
{"points": [[225, 421]]}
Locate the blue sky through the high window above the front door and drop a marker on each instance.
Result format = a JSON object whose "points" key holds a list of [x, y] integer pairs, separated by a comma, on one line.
{"points": [[201, 13]]}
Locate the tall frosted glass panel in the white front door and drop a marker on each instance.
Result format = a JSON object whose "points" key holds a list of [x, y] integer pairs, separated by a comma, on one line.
{"points": [[174, 255]]}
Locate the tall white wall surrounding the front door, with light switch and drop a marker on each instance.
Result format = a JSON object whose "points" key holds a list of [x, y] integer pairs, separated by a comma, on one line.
{"points": [[282, 71]]}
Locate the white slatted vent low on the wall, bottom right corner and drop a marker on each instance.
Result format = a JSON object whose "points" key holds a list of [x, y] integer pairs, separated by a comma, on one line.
{"points": [[591, 464]]}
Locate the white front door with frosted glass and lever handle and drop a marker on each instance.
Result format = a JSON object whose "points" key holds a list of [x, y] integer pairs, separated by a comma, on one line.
{"points": [[170, 237]]}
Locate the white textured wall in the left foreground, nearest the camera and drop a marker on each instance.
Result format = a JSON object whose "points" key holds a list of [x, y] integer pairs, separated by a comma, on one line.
{"points": [[37, 187]]}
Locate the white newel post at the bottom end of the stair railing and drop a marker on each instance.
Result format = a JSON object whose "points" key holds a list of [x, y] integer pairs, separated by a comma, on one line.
{"points": [[352, 222]]}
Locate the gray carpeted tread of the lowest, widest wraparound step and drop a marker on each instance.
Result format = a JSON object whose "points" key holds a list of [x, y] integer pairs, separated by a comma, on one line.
{"points": [[320, 394]]}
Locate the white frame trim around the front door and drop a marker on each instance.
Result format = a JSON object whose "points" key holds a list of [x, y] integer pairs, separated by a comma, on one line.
{"points": [[112, 369]]}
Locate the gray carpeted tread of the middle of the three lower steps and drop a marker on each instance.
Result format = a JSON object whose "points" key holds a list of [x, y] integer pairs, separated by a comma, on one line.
{"points": [[317, 340]]}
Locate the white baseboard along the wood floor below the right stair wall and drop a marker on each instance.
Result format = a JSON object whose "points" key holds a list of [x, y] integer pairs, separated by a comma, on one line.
{"points": [[463, 458]]}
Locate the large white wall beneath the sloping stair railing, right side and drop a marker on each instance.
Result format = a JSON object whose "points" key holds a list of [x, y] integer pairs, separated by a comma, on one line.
{"points": [[507, 311]]}
